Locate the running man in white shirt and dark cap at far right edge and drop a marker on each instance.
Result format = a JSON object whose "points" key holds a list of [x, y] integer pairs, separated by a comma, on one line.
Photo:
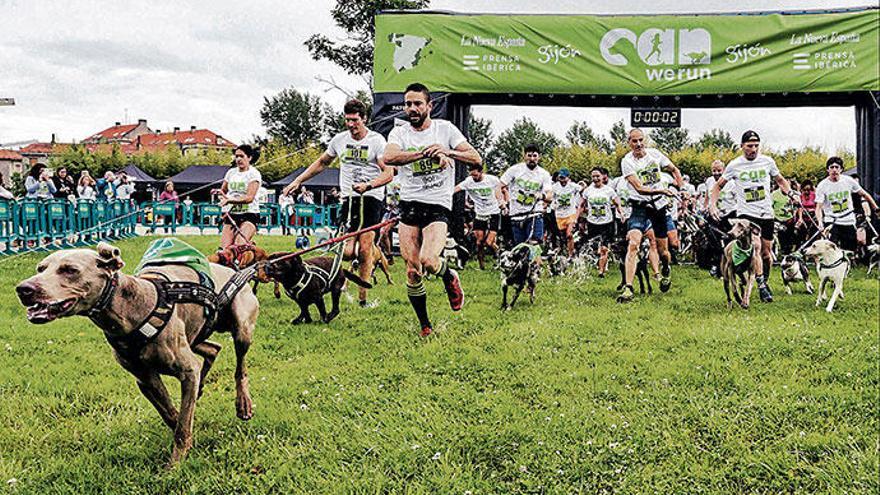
{"points": [[834, 205]]}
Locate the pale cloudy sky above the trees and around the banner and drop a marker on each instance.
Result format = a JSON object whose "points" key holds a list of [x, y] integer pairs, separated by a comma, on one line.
{"points": [[77, 67]]}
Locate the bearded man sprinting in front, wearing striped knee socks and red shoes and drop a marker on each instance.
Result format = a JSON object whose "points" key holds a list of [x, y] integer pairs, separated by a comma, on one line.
{"points": [[425, 153]]}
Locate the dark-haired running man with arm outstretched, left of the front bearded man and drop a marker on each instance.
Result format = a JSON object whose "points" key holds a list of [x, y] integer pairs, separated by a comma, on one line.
{"points": [[362, 177]]}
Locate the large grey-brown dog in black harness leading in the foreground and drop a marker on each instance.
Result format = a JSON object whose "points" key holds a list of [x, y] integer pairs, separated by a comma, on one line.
{"points": [[148, 338]]}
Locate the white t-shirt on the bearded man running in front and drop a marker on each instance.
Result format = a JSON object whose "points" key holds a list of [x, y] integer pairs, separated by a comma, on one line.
{"points": [[423, 180]]}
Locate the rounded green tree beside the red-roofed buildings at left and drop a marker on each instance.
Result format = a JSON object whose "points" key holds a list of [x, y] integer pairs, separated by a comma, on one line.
{"points": [[296, 119]]}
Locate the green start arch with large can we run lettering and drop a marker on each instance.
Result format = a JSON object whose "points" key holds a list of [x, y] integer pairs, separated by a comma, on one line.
{"points": [[413, 46]]}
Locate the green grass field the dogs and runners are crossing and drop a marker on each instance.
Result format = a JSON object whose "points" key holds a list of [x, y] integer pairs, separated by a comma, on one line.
{"points": [[576, 394]]}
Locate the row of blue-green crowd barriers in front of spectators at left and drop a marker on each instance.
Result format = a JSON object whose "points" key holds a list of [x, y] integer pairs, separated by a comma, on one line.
{"points": [[53, 224]]}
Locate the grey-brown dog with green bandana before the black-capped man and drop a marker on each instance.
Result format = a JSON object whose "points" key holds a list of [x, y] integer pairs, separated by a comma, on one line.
{"points": [[738, 271]]}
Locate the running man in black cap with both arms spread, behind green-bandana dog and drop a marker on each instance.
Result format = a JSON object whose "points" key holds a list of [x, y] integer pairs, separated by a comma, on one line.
{"points": [[752, 173]]}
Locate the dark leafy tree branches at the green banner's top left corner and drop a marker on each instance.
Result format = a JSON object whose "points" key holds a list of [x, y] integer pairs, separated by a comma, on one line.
{"points": [[355, 17]]}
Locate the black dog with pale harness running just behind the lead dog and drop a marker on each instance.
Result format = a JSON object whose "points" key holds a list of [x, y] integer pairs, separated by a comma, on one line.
{"points": [[307, 281]]}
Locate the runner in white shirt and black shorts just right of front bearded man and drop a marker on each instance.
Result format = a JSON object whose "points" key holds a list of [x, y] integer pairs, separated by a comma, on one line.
{"points": [[484, 190]]}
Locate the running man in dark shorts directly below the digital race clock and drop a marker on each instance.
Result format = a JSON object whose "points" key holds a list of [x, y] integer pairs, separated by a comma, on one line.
{"points": [[642, 168]]}
